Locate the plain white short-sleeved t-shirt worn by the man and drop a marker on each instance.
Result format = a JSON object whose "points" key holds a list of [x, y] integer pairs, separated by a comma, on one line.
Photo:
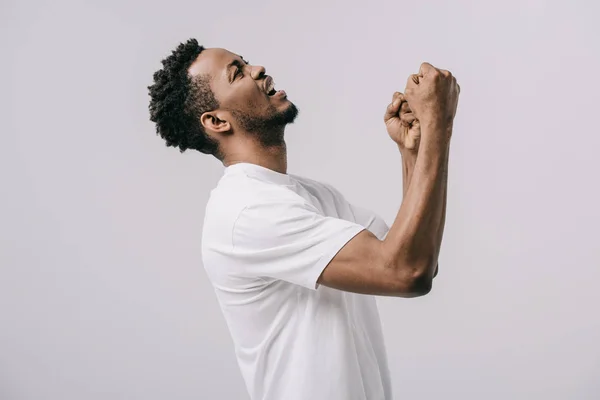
{"points": [[266, 239]]}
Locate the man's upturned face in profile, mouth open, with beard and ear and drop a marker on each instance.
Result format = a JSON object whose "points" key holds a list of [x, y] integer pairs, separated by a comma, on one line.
{"points": [[246, 94]]}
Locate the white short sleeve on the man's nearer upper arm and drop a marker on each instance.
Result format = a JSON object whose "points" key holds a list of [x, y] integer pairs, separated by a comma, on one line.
{"points": [[288, 240]]}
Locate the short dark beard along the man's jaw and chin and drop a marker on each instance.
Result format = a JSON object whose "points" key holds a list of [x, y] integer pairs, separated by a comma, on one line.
{"points": [[267, 129]]}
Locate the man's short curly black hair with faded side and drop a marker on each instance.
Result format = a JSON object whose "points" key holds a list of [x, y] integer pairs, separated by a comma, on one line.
{"points": [[177, 101]]}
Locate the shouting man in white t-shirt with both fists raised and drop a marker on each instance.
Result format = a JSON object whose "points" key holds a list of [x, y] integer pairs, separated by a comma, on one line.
{"points": [[294, 265]]}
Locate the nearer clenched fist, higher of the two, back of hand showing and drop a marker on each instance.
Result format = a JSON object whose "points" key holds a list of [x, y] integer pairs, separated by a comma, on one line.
{"points": [[433, 96]]}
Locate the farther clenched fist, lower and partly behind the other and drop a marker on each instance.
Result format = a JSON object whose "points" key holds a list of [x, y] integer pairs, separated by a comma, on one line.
{"points": [[401, 124]]}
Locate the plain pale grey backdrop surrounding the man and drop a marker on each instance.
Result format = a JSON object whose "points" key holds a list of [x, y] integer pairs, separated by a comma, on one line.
{"points": [[103, 295]]}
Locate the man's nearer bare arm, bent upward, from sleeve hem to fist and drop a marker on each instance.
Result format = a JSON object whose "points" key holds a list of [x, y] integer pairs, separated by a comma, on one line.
{"points": [[404, 263]]}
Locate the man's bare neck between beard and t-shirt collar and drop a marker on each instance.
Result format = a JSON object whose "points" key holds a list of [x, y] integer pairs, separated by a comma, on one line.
{"points": [[273, 157]]}
